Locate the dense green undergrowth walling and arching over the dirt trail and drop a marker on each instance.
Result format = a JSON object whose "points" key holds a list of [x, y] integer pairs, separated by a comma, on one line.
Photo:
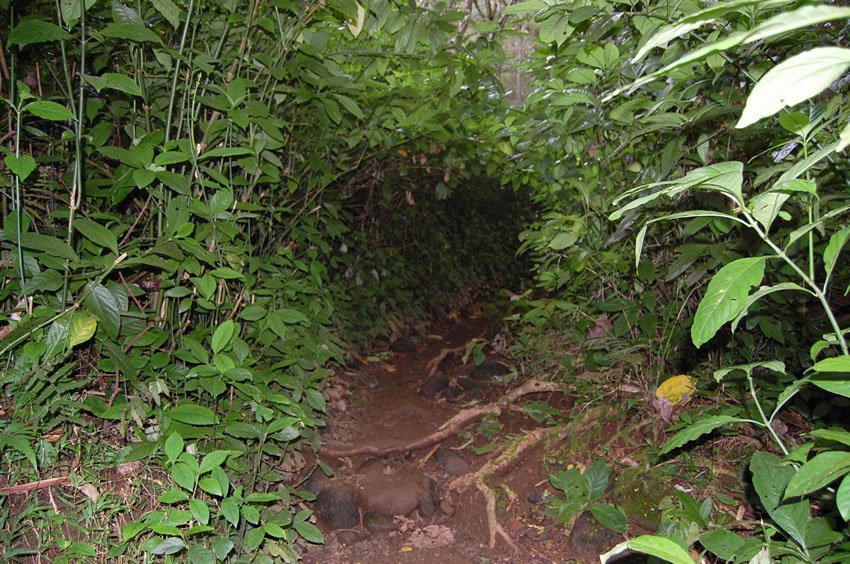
{"points": [[207, 204]]}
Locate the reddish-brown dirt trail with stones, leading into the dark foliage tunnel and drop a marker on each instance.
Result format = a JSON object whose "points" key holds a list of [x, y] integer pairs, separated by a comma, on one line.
{"points": [[399, 507]]}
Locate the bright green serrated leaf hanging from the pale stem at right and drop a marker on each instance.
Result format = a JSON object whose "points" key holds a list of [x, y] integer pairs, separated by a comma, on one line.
{"points": [[726, 297]]}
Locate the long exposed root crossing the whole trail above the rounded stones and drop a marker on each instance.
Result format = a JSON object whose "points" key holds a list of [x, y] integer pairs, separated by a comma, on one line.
{"points": [[450, 427]]}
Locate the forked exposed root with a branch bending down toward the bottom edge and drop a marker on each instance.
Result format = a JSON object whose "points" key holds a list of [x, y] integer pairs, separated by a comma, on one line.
{"points": [[502, 462]]}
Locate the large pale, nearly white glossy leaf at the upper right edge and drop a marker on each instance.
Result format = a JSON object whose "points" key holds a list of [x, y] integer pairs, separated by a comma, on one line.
{"points": [[793, 81]]}
